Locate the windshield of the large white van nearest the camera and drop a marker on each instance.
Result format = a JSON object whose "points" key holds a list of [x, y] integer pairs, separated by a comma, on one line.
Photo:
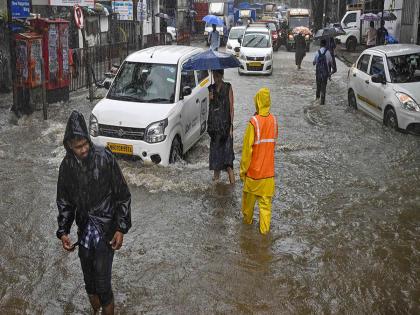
{"points": [[144, 82]]}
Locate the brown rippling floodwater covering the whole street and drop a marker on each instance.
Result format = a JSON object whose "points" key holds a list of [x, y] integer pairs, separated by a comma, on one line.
{"points": [[345, 232]]}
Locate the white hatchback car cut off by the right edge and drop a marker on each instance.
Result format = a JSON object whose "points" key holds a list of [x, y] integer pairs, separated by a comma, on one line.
{"points": [[385, 83]]}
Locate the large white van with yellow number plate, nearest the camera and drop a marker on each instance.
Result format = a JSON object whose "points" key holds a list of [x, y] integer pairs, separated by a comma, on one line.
{"points": [[153, 109]]}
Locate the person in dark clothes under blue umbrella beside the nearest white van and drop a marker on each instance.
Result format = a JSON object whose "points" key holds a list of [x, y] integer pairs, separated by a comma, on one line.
{"points": [[220, 127]]}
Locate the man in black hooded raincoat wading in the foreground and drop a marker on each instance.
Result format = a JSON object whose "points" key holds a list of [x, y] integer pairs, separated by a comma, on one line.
{"points": [[92, 190]]}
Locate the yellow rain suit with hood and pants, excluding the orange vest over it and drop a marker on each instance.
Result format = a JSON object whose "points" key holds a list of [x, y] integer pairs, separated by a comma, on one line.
{"points": [[256, 189]]}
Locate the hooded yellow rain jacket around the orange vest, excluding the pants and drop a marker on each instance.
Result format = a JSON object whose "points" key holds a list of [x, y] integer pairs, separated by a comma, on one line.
{"points": [[259, 187]]}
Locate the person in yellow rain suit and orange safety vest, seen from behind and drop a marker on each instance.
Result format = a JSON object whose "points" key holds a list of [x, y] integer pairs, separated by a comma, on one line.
{"points": [[257, 162]]}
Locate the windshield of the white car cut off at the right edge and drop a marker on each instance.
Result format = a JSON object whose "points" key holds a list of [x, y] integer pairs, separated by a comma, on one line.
{"points": [[404, 68]]}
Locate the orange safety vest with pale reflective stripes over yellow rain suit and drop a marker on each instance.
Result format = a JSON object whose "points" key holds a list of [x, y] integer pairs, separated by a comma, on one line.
{"points": [[265, 136]]}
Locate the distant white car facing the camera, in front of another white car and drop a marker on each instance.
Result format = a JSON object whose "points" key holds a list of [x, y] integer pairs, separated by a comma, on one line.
{"points": [[256, 51]]}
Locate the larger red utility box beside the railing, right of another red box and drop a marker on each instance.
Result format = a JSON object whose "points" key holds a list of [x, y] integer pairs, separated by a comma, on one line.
{"points": [[55, 48]]}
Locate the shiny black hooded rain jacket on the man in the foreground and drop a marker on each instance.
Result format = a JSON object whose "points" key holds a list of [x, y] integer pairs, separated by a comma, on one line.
{"points": [[93, 188]]}
